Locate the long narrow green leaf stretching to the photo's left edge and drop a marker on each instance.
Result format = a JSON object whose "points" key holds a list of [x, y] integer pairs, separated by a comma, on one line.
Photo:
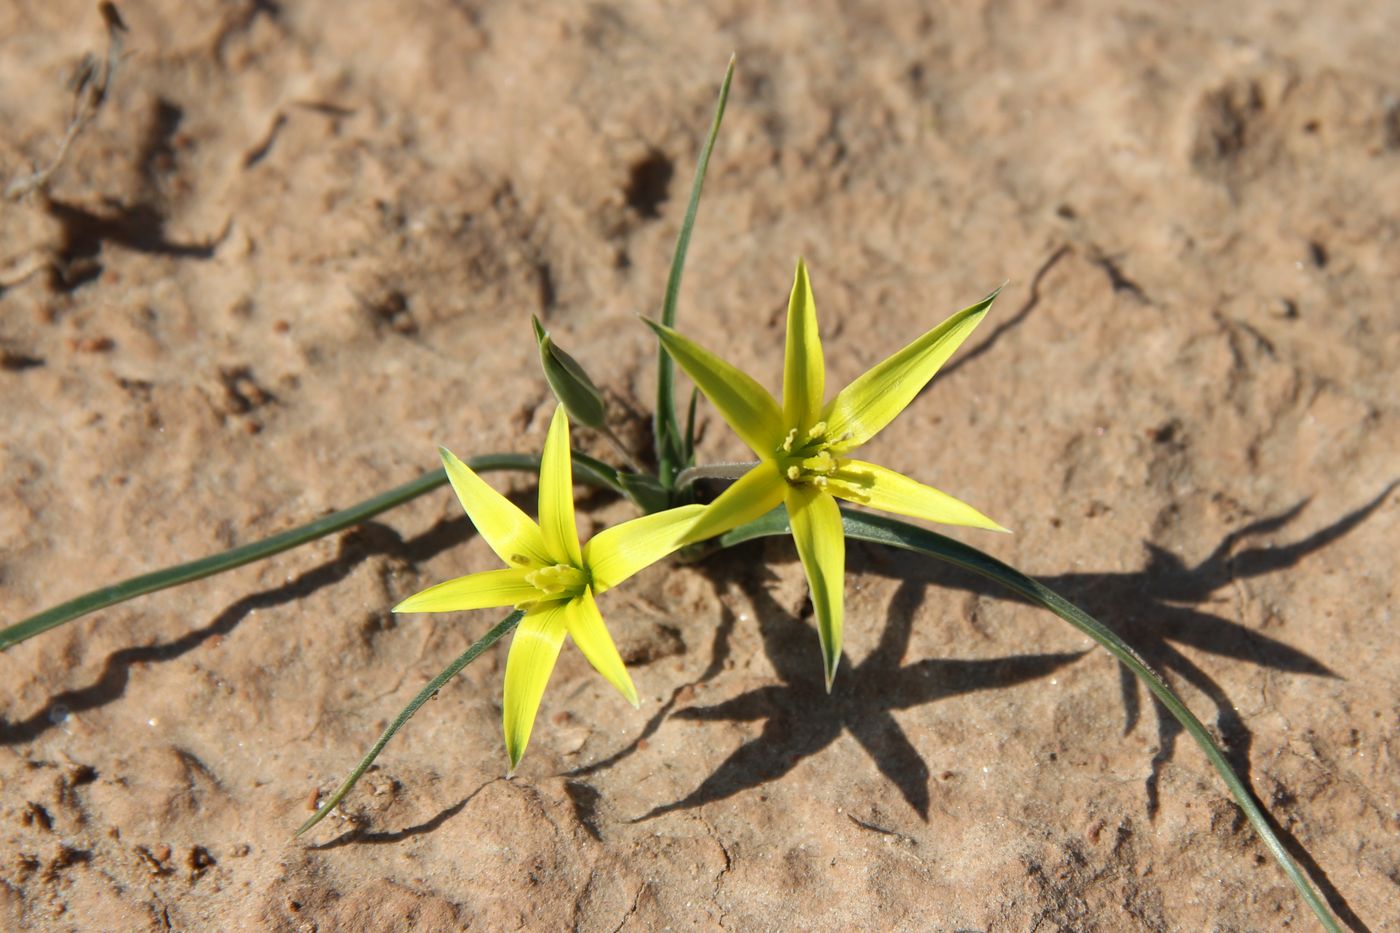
{"points": [[586, 470]]}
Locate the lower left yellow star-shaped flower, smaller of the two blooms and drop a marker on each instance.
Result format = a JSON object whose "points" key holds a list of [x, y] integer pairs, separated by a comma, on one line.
{"points": [[549, 576]]}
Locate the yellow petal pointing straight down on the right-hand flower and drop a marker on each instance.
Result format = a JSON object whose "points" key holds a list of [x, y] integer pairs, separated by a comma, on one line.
{"points": [[821, 544]]}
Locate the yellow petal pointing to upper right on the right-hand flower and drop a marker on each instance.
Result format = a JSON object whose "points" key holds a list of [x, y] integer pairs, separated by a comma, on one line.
{"points": [[873, 401]]}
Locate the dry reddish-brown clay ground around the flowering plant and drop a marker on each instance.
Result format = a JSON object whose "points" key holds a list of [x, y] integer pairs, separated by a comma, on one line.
{"points": [[299, 247]]}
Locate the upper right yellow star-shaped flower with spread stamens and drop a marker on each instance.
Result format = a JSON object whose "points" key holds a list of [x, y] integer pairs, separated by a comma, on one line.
{"points": [[804, 446]]}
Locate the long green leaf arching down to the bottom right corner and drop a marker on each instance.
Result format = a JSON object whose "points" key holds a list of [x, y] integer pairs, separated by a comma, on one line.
{"points": [[898, 534]]}
